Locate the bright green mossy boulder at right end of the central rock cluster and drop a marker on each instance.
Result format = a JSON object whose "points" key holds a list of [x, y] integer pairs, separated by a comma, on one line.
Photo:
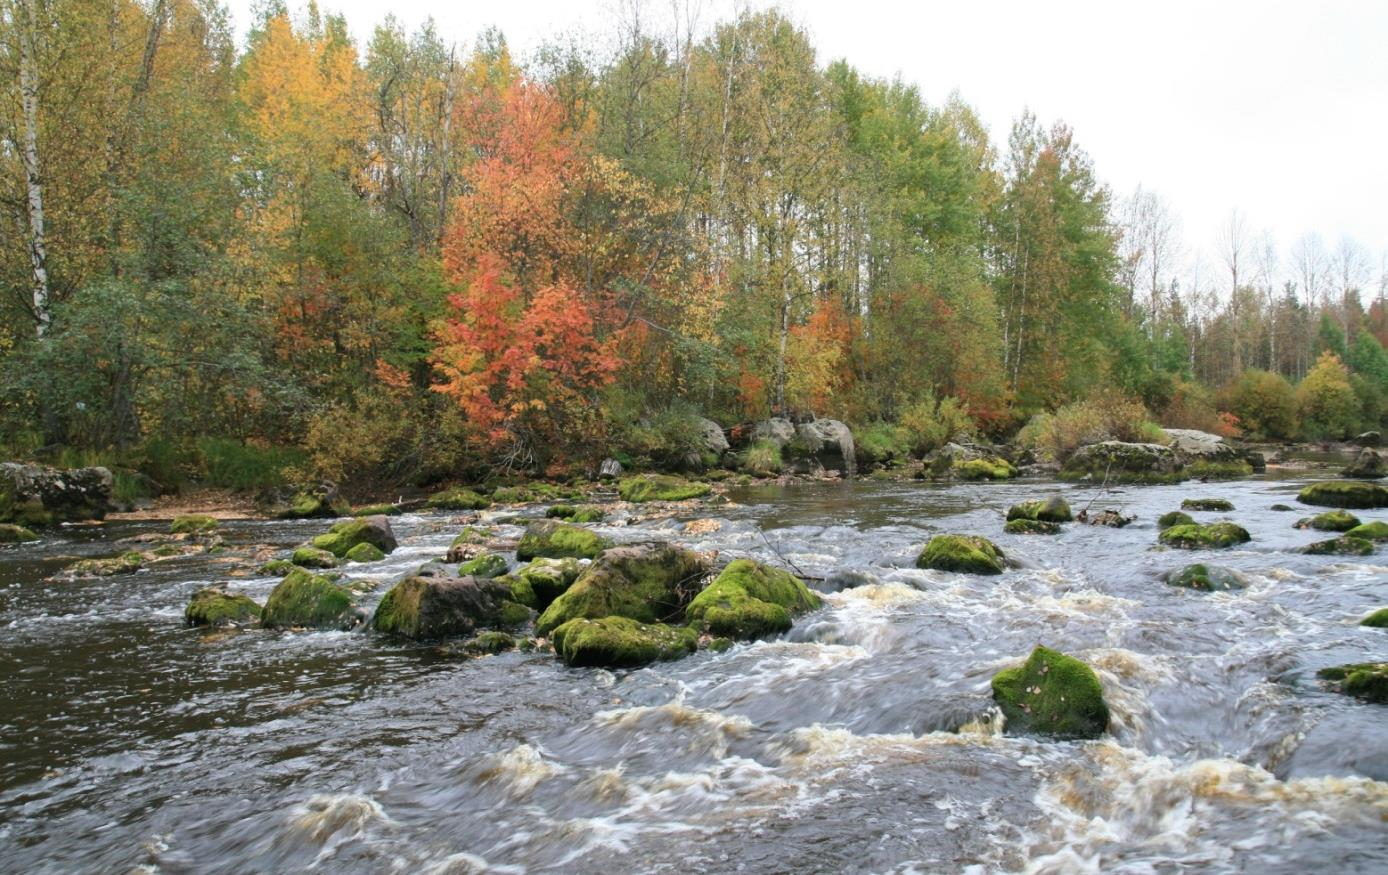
{"points": [[750, 601]]}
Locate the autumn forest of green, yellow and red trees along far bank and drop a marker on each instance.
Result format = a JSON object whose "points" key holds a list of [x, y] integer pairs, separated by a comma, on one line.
{"points": [[421, 260]]}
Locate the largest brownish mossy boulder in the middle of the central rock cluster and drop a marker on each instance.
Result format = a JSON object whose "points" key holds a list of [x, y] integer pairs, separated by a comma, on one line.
{"points": [[649, 583]]}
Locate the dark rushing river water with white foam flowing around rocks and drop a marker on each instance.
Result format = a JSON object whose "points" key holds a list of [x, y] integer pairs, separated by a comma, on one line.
{"points": [[864, 741]]}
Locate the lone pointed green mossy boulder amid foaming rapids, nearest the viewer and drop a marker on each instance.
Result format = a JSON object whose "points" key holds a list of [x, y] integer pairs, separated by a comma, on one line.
{"points": [[1053, 695]]}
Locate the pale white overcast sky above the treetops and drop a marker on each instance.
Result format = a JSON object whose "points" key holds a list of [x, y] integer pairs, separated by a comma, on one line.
{"points": [[1276, 109]]}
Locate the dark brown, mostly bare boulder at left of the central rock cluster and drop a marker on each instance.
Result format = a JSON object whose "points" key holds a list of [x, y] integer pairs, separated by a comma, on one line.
{"points": [[427, 609]]}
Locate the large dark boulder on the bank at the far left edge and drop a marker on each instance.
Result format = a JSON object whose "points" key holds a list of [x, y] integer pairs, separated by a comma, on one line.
{"points": [[38, 495]]}
